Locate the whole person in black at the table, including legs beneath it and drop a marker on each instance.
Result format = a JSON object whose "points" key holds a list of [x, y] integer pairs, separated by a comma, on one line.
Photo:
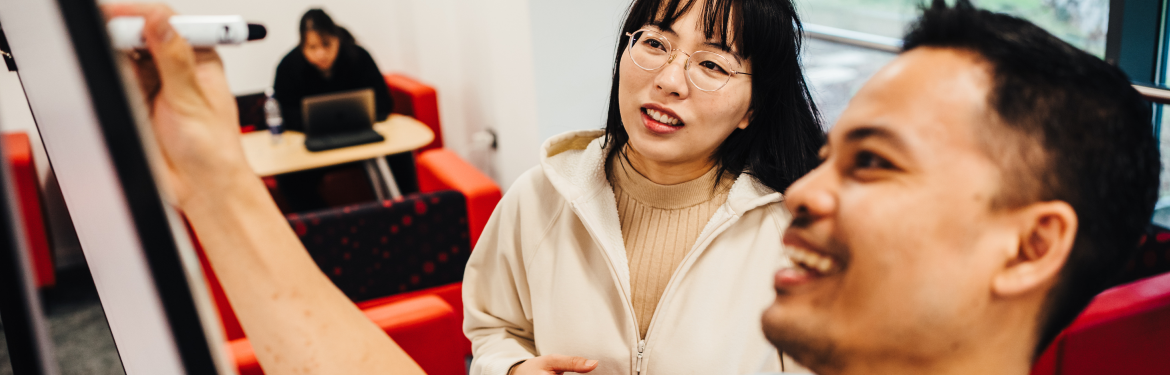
{"points": [[327, 61]]}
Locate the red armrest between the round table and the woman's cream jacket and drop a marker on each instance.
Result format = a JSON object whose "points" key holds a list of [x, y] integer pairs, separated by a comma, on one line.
{"points": [[443, 170]]}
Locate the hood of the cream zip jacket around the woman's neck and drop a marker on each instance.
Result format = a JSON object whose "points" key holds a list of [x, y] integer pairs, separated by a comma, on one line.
{"points": [[575, 165]]}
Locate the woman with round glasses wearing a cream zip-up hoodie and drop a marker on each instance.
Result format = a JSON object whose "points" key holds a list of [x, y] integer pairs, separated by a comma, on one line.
{"points": [[648, 248]]}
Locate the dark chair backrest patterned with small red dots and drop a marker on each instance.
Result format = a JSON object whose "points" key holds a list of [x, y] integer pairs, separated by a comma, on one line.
{"points": [[378, 249]]}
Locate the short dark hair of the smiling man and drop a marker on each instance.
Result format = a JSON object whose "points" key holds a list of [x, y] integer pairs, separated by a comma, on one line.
{"points": [[1093, 133]]}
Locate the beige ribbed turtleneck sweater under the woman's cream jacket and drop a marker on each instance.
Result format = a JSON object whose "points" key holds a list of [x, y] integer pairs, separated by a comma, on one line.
{"points": [[660, 225]]}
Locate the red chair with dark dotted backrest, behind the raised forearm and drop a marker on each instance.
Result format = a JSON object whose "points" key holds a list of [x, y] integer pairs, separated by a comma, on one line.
{"points": [[418, 245]]}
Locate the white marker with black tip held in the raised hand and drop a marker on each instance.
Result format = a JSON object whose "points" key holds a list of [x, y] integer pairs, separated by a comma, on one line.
{"points": [[199, 31]]}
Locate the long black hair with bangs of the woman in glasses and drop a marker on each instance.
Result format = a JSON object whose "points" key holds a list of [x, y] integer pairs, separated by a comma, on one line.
{"points": [[784, 133]]}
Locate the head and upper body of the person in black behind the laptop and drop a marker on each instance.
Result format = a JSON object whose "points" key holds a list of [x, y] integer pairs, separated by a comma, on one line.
{"points": [[327, 61]]}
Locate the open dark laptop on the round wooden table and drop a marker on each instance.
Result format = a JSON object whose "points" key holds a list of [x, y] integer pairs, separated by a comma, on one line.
{"points": [[340, 120]]}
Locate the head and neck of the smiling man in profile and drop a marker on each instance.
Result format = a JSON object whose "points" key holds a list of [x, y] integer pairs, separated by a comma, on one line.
{"points": [[974, 198]]}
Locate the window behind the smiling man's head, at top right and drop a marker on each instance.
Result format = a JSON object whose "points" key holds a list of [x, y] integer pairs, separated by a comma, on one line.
{"points": [[852, 39]]}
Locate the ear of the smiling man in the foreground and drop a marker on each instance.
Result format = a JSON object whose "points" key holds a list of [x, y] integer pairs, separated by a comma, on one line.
{"points": [[1048, 232]]}
